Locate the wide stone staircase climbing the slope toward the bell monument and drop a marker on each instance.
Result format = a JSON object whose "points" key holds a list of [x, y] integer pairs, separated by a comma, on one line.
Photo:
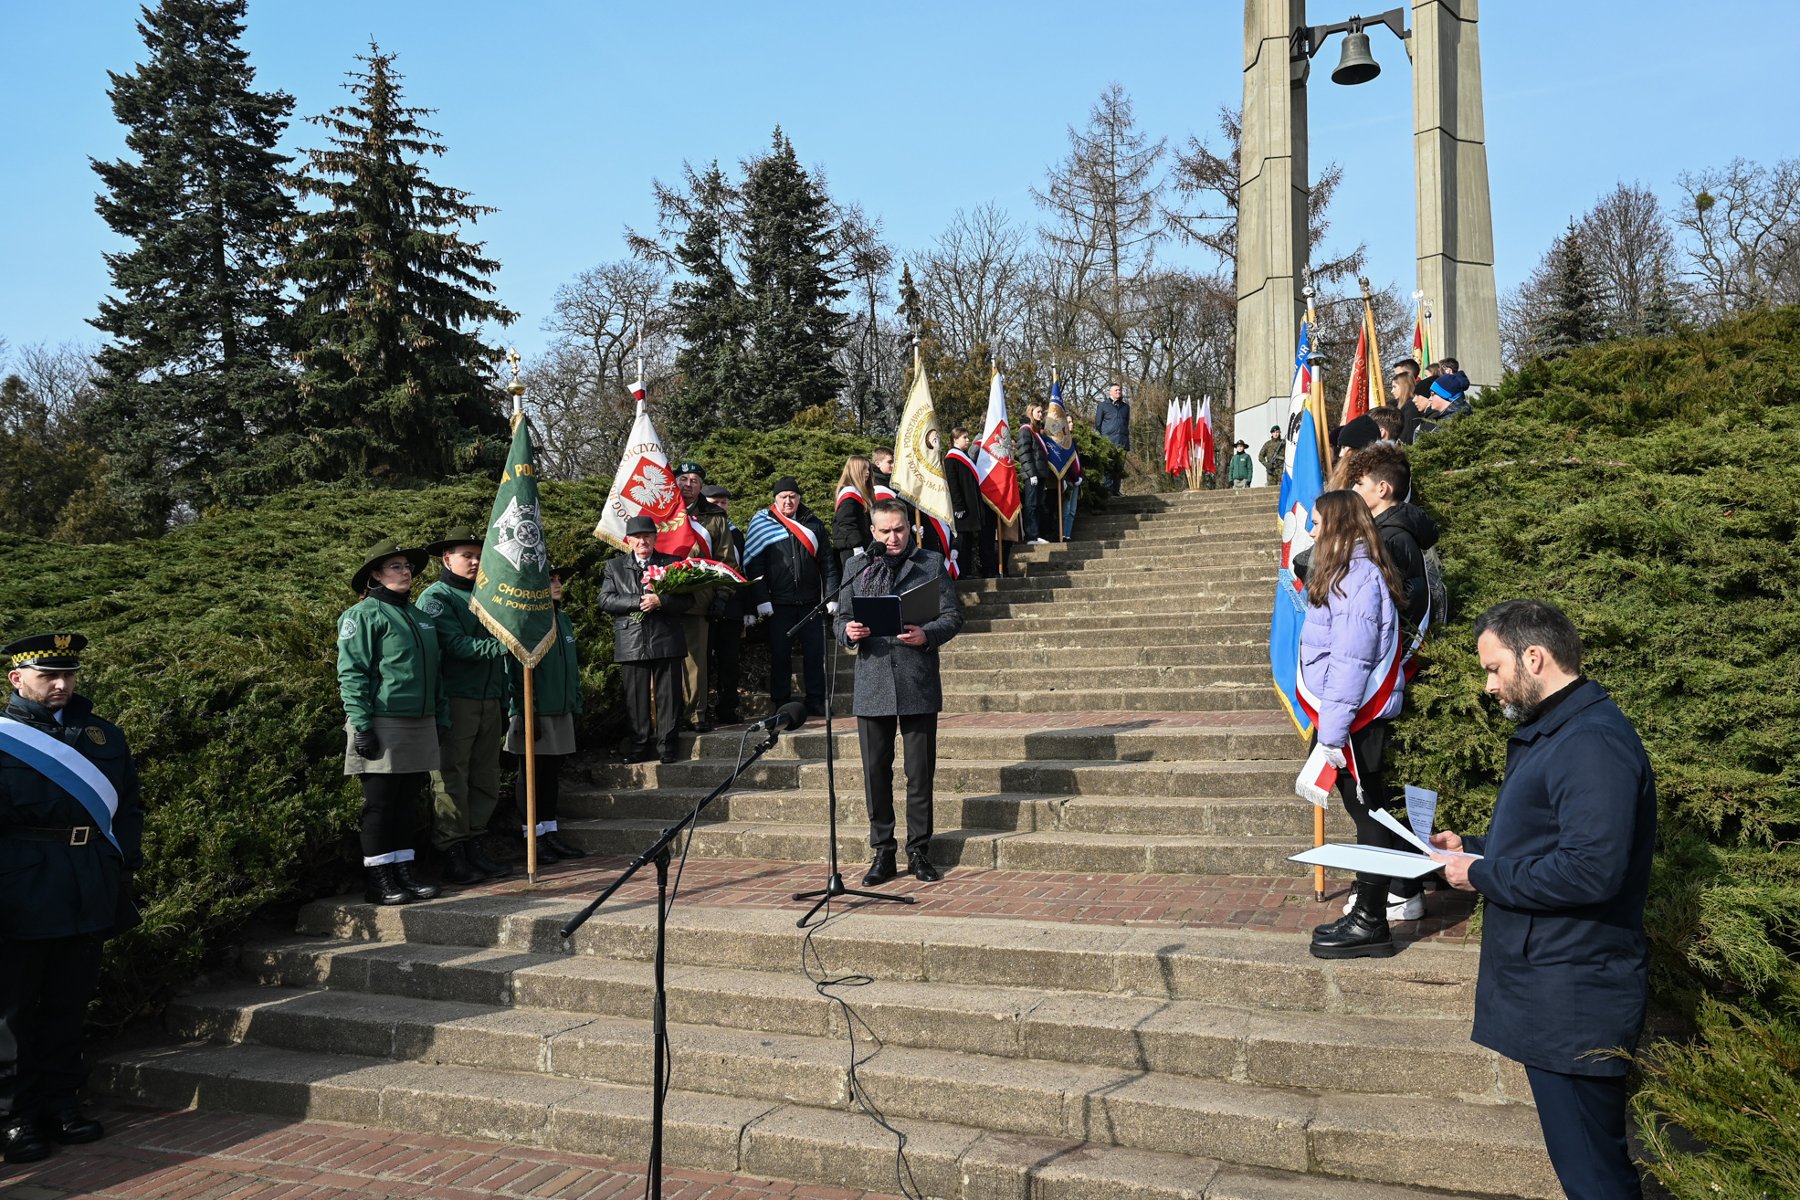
{"points": [[1108, 722]]}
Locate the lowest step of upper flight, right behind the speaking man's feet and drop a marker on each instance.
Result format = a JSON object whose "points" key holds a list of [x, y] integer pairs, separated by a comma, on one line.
{"points": [[1005, 850]]}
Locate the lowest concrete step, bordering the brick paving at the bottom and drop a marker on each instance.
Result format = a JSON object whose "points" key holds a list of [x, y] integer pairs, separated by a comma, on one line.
{"points": [[703, 1131]]}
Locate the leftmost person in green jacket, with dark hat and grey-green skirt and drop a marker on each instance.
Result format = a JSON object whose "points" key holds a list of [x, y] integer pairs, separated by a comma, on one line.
{"points": [[395, 704]]}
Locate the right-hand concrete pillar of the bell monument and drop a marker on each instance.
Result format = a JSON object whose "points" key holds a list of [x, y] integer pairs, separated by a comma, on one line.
{"points": [[1450, 161]]}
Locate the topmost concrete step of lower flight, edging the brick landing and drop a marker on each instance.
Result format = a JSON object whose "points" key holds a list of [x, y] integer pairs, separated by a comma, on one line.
{"points": [[1236, 969]]}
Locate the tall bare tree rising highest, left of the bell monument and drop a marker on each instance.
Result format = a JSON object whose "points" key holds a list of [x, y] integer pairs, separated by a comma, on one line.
{"points": [[1104, 206]]}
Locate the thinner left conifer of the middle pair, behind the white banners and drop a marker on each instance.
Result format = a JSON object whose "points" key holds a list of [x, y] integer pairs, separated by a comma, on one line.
{"points": [[710, 316]]}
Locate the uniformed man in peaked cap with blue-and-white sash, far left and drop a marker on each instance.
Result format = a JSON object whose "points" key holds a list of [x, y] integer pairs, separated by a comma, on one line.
{"points": [[71, 823]]}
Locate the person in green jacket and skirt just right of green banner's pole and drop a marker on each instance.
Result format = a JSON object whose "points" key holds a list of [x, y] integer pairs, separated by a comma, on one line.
{"points": [[555, 704]]}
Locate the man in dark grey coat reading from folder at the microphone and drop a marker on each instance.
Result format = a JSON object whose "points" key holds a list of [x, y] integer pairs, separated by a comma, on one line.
{"points": [[899, 690]]}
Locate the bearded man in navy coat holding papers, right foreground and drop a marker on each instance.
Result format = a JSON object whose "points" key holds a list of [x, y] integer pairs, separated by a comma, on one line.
{"points": [[1565, 868]]}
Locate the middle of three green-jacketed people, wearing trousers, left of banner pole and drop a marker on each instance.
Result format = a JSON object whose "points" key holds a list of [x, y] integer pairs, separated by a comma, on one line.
{"points": [[467, 787]]}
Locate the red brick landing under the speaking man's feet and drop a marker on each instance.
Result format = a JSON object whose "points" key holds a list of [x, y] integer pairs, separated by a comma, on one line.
{"points": [[1275, 906]]}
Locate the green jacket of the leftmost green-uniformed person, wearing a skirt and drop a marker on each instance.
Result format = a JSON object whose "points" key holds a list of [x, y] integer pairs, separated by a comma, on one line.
{"points": [[390, 665]]}
